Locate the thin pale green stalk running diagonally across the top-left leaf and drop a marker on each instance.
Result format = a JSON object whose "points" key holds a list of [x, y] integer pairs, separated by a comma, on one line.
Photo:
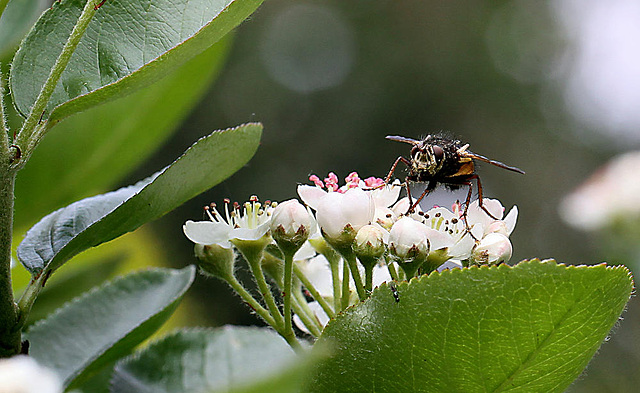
{"points": [[30, 134]]}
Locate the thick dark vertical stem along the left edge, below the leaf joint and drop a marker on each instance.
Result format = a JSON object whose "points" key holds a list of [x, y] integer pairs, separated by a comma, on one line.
{"points": [[10, 336]]}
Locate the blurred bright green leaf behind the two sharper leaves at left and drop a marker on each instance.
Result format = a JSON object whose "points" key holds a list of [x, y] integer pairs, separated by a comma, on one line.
{"points": [[102, 144]]}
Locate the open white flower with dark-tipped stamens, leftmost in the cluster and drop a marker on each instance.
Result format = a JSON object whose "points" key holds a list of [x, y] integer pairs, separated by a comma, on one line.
{"points": [[250, 223]]}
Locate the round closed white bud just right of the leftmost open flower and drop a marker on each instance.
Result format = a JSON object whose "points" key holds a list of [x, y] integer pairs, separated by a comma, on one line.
{"points": [[291, 225]]}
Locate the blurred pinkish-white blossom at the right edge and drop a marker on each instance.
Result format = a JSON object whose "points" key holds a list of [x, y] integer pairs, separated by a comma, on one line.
{"points": [[612, 193]]}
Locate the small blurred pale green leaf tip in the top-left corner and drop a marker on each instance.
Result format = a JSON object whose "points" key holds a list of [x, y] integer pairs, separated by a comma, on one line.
{"points": [[16, 21]]}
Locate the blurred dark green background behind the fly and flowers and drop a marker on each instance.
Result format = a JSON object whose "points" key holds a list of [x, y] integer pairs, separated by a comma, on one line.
{"points": [[552, 87]]}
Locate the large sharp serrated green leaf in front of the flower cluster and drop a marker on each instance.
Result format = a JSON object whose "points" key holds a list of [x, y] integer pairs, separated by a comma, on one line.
{"points": [[528, 328]]}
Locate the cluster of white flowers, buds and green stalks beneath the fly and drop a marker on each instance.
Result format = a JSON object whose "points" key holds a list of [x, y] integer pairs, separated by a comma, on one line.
{"points": [[344, 241]]}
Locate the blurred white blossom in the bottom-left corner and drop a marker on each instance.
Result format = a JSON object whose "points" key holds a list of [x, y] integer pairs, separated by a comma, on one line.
{"points": [[21, 374]]}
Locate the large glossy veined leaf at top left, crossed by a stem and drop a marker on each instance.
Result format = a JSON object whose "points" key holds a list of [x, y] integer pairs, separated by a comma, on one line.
{"points": [[129, 44]]}
